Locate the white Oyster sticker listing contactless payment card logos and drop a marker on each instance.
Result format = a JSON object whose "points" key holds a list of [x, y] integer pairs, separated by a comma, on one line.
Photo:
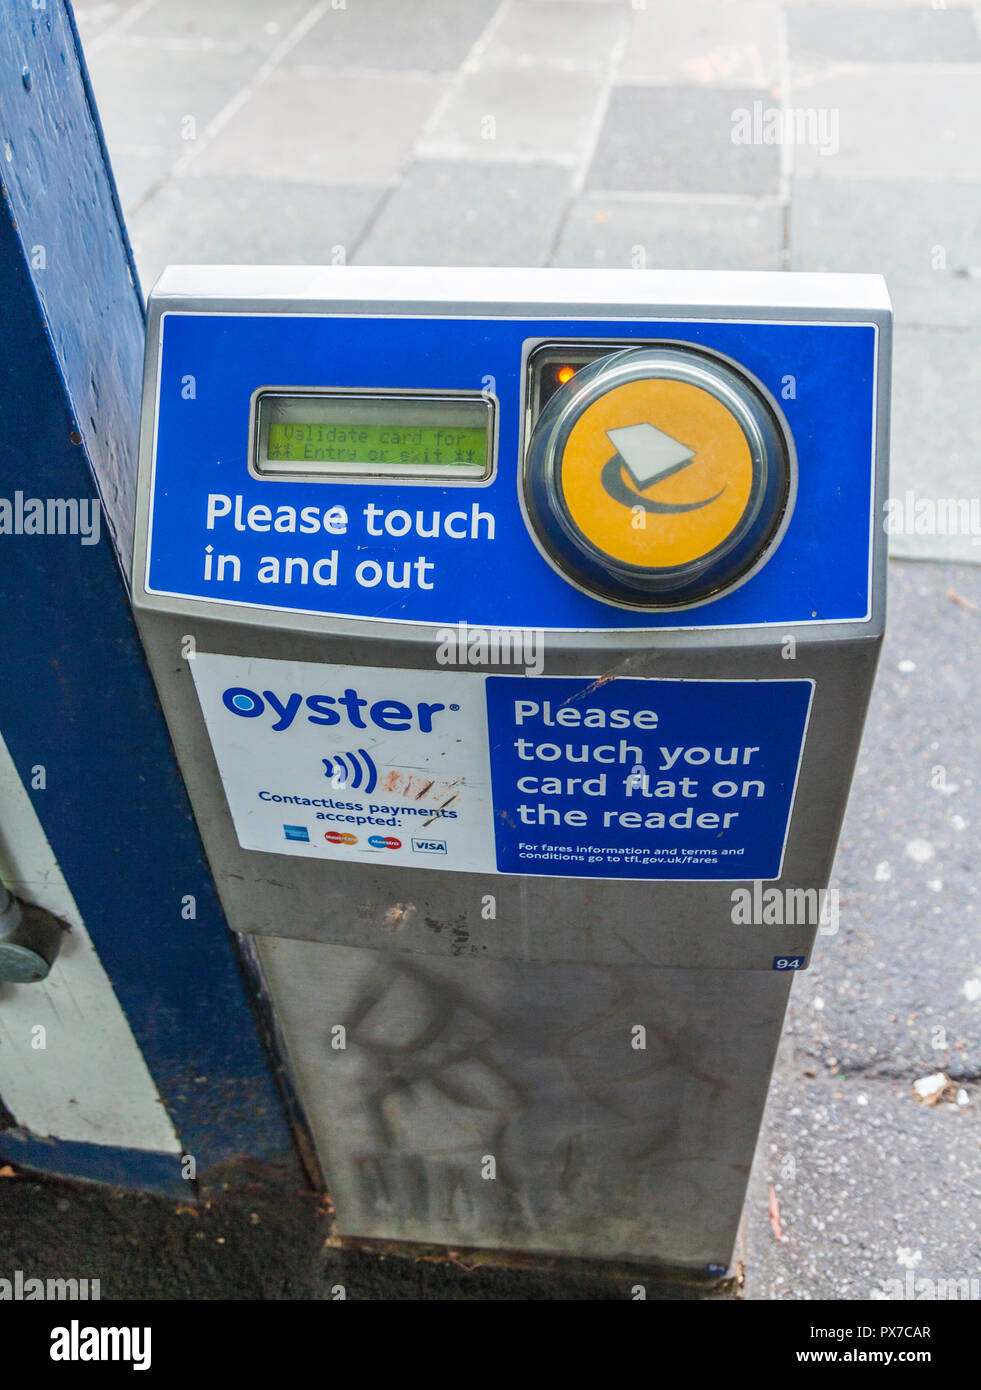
{"points": [[352, 762]]}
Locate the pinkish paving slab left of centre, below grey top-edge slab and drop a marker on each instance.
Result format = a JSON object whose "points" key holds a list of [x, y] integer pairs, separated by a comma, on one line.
{"points": [[324, 127]]}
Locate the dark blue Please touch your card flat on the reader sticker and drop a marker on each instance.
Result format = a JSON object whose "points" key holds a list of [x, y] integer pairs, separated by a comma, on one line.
{"points": [[644, 779]]}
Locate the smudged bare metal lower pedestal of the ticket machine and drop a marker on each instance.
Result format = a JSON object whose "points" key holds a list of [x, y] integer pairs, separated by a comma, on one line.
{"points": [[601, 1149]]}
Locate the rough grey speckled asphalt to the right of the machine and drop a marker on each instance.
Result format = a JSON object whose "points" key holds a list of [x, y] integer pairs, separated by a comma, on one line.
{"points": [[869, 1181]]}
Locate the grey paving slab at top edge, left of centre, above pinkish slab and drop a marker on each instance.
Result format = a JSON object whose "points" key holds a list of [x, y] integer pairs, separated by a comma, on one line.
{"points": [[391, 34]]}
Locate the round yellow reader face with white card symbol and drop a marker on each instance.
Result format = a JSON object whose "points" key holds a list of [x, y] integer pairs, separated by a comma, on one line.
{"points": [[657, 473]]}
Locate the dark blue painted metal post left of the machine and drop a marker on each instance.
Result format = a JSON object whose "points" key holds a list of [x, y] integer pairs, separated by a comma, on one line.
{"points": [[76, 694]]}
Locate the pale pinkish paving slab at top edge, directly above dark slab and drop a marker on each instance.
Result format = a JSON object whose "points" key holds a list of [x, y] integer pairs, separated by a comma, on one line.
{"points": [[701, 41]]}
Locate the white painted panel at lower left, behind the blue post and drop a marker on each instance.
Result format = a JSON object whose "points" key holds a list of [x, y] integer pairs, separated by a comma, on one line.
{"points": [[90, 1082]]}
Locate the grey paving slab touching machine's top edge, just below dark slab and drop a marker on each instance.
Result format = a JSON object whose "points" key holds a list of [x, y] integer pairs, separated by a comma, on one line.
{"points": [[619, 233]]}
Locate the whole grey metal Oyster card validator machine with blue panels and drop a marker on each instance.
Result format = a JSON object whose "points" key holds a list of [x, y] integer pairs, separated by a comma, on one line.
{"points": [[516, 632]]}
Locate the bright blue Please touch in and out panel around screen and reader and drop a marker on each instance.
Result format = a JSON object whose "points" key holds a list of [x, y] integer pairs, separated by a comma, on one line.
{"points": [[424, 553]]}
